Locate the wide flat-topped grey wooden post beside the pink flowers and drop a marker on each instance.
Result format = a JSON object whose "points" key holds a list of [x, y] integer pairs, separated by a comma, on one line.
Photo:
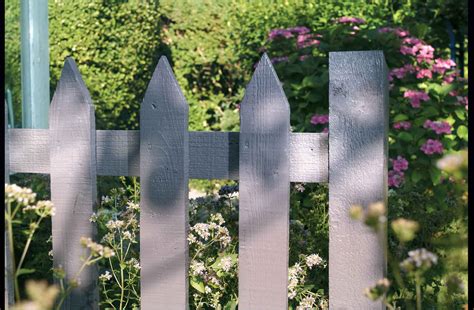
{"points": [[358, 125]]}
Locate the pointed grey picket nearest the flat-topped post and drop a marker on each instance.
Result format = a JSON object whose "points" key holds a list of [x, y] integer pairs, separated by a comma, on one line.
{"points": [[264, 192]]}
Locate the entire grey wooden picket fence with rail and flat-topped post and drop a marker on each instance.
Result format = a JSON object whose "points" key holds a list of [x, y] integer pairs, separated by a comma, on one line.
{"points": [[264, 157]]}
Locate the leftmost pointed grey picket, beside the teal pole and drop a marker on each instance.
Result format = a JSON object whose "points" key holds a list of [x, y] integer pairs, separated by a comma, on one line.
{"points": [[73, 181]]}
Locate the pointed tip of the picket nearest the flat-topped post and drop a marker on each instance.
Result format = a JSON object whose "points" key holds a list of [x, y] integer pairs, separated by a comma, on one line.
{"points": [[265, 94]]}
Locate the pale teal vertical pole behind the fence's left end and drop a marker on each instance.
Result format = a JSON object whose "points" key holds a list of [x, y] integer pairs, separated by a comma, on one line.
{"points": [[34, 63]]}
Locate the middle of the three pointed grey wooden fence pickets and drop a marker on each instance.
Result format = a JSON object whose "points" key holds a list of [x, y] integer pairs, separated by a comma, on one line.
{"points": [[164, 173]]}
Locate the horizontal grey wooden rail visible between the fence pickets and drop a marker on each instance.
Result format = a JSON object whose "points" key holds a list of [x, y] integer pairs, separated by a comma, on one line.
{"points": [[213, 155]]}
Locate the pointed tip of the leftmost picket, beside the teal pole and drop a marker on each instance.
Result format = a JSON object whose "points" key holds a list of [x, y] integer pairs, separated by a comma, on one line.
{"points": [[72, 85]]}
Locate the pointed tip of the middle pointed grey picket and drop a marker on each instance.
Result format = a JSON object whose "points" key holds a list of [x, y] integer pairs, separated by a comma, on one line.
{"points": [[164, 89]]}
